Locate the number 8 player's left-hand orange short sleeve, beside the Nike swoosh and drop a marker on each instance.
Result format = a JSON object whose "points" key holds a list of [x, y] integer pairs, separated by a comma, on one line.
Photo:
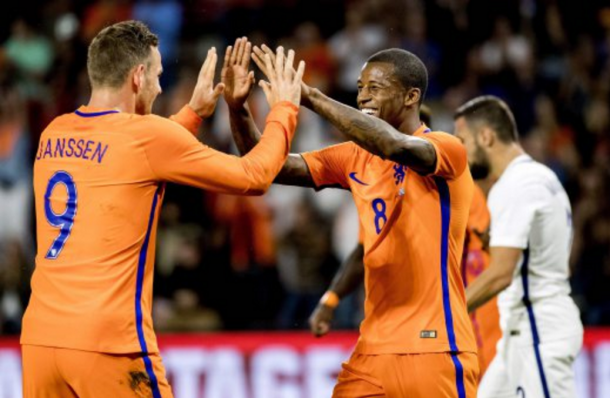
{"points": [[328, 166]]}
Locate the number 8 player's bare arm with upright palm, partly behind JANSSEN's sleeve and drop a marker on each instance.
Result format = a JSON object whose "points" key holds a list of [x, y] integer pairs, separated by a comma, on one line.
{"points": [[238, 81]]}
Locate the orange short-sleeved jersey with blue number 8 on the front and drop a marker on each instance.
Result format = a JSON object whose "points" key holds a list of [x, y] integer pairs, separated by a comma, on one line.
{"points": [[413, 228]]}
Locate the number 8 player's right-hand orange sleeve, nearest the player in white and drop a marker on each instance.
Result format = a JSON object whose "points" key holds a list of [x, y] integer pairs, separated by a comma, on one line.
{"points": [[451, 158]]}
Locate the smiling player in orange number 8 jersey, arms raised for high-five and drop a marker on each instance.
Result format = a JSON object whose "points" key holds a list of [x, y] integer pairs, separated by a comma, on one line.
{"points": [[413, 190]]}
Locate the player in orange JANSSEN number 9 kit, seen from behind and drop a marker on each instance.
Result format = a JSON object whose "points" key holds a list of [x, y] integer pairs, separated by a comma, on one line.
{"points": [[99, 179]]}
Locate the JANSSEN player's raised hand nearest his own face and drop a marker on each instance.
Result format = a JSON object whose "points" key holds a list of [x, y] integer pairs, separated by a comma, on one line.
{"points": [[205, 94]]}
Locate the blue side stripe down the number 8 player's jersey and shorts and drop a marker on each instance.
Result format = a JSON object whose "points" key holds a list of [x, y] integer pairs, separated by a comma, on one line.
{"points": [[445, 200]]}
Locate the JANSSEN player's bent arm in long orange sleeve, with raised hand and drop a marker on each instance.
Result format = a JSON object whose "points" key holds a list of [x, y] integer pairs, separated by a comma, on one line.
{"points": [[175, 155]]}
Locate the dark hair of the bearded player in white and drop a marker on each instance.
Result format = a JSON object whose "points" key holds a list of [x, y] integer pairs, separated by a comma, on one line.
{"points": [[493, 112]]}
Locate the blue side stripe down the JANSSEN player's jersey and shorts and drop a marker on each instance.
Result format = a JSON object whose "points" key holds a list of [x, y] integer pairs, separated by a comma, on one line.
{"points": [[154, 384]]}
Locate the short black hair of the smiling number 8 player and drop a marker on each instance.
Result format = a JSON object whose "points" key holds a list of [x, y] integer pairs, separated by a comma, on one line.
{"points": [[408, 68]]}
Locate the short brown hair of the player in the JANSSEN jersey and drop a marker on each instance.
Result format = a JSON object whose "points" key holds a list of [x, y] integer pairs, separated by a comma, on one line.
{"points": [[116, 50]]}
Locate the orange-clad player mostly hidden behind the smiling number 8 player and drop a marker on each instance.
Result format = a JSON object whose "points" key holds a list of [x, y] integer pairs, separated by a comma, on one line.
{"points": [[485, 321]]}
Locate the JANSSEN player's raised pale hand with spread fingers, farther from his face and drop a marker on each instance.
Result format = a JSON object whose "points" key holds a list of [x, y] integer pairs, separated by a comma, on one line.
{"points": [[284, 82]]}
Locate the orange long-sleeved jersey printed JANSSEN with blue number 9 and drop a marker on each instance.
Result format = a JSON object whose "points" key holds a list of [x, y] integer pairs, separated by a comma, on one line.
{"points": [[99, 182]]}
